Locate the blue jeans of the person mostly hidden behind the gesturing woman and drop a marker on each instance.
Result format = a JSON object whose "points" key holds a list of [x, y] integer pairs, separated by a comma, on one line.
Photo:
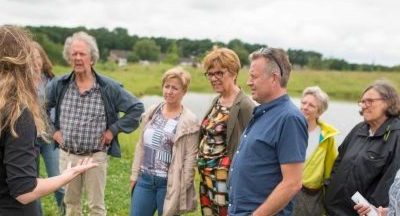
{"points": [[50, 154]]}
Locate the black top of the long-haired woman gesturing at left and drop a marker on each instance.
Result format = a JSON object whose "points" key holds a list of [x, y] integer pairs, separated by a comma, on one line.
{"points": [[18, 167]]}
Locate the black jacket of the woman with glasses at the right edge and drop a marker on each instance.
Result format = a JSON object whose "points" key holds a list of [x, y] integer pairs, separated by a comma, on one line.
{"points": [[367, 164]]}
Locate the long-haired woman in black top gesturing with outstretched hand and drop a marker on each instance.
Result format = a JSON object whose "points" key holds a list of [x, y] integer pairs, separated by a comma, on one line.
{"points": [[21, 120]]}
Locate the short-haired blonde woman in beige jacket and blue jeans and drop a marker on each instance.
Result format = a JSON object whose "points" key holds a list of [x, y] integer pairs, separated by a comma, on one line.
{"points": [[163, 168]]}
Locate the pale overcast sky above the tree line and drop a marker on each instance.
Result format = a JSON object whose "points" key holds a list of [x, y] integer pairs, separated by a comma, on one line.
{"points": [[359, 31]]}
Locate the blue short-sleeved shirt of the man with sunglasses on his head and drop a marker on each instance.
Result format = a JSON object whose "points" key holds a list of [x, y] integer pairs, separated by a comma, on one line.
{"points": [[277, 134]]}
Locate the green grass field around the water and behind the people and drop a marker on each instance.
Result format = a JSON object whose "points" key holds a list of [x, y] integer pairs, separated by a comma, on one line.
{"points": [[145, 80]]}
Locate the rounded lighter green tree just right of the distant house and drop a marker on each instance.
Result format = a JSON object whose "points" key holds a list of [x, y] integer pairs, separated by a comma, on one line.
{"points": [[147, 49]]}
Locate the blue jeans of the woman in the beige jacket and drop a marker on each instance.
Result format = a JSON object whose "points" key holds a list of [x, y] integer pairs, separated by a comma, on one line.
{"points": [[148, 195]]}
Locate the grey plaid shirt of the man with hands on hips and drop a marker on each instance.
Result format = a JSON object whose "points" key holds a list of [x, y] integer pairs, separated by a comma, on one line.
{"points": [[82, 119]]}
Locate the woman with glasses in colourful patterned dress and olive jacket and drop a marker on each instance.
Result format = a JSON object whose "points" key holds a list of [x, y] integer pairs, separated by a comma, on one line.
{"points": [[220, 129]]}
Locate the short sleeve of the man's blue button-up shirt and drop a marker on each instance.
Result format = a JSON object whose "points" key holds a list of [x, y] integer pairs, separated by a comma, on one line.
{"points": [[293, 139]]}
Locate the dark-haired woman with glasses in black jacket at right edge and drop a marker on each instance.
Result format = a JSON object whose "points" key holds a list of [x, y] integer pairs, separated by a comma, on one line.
{"points": [[369, 156]]}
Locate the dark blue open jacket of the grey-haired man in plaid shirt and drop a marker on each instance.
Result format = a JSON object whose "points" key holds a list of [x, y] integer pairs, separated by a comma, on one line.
{"points": [[115, 100]]}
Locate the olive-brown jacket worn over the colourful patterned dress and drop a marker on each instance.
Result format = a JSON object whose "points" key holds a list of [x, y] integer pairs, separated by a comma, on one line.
{"points": [[240, 114]]}
